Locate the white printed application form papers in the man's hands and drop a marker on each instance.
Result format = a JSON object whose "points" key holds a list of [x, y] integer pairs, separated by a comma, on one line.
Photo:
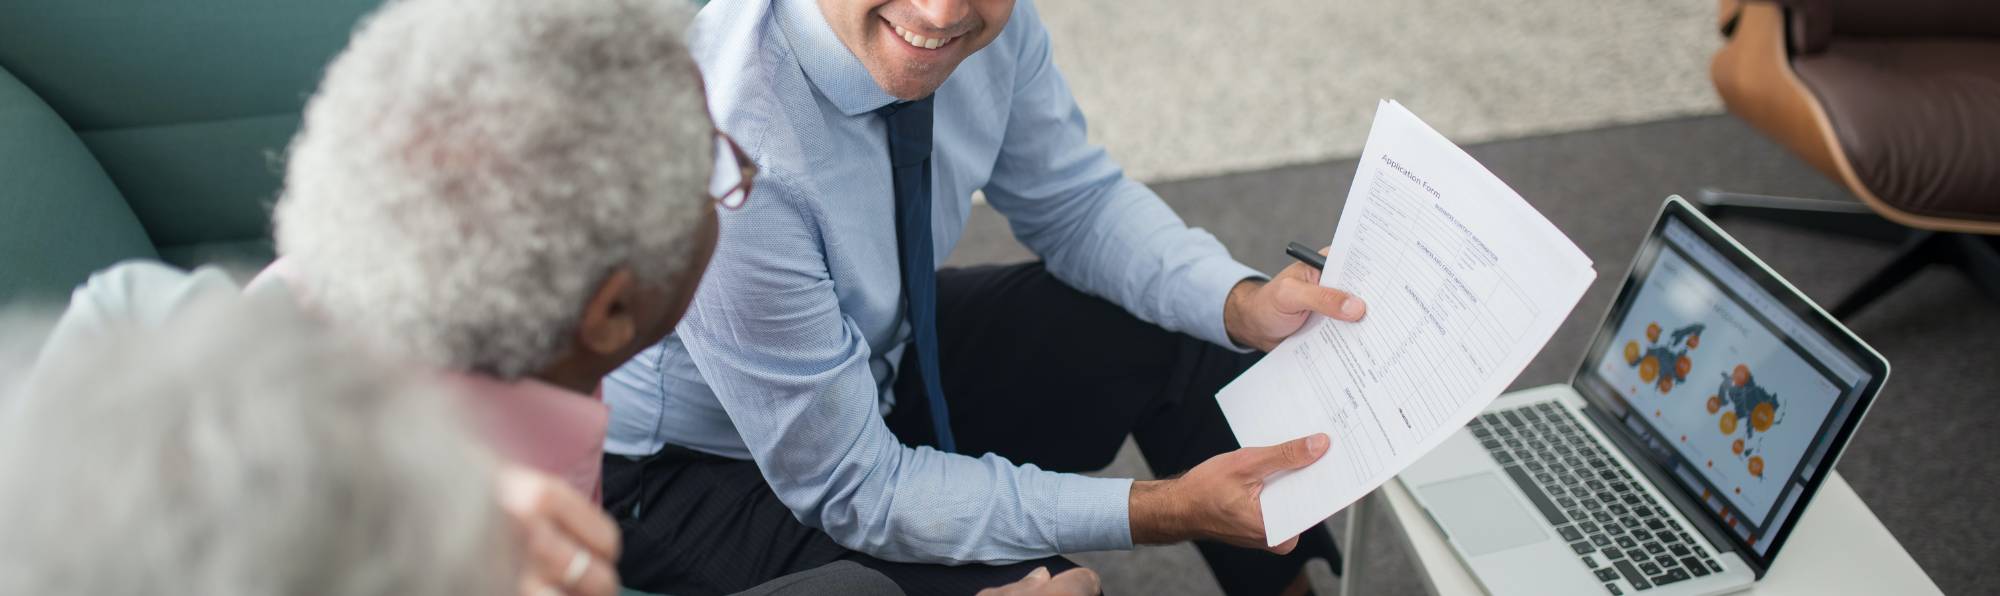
{"points": [[1465, 285]]}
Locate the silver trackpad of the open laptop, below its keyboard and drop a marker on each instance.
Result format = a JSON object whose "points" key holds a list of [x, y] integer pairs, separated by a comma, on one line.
{"points": [[1481, 515]]}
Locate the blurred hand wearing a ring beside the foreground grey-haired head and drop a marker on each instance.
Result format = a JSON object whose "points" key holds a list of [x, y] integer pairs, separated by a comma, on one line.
{"points": [[569, 545]]}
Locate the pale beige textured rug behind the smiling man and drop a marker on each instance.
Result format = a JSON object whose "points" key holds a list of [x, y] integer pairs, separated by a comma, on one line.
{"points": [[1185, 89]]}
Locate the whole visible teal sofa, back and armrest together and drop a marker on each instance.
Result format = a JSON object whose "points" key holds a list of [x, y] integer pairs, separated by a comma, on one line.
{"points": [[139, 129]]}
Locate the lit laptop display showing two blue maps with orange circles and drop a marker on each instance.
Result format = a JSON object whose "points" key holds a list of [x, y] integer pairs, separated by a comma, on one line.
{"points": [[1717, 383]]}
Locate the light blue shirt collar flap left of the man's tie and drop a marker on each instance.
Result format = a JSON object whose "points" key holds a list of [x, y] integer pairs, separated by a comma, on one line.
{"points": [[833, 69]]}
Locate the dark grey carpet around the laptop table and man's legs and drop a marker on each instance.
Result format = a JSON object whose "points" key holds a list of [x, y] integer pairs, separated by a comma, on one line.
{"points": [[1923, 461]]}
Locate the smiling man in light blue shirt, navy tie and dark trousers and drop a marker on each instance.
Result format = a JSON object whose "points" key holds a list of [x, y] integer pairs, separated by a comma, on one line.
{"points": [[835, 397]]}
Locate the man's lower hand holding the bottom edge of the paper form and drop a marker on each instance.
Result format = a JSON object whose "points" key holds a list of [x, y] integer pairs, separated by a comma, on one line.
{"points": [[1219, 499]]}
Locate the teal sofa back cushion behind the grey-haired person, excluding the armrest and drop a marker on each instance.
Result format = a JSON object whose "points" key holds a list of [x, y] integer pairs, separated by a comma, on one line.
{"points": [[187, 105]]}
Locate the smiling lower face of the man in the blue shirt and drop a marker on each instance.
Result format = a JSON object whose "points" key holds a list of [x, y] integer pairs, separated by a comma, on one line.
{"points": [[913, 45]]}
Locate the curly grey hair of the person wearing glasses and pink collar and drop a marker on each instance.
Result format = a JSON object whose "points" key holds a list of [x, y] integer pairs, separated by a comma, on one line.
{"points": [[471, 171]]}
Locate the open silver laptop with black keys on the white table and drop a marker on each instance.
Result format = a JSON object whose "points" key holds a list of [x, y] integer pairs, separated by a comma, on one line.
{"points": [[1711, 407]]}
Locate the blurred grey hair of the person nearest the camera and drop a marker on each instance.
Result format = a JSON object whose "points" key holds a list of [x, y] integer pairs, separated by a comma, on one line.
{"points": [[239, 451]]}
